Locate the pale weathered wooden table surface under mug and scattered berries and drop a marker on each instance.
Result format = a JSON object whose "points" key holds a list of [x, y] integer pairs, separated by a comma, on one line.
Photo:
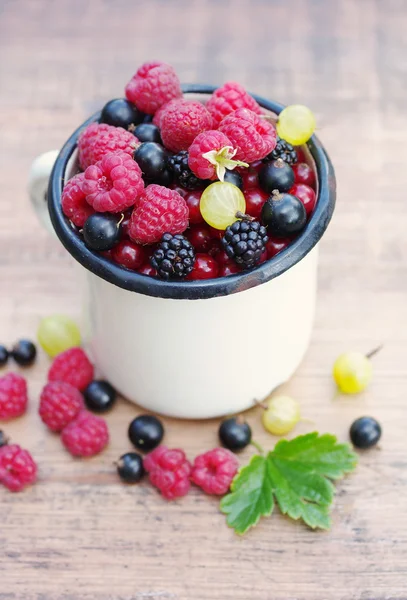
{"points": [[79, 533]]}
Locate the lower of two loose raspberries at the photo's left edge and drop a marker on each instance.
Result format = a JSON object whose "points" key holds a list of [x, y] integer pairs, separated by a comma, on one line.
{"points": [[17, 468]]}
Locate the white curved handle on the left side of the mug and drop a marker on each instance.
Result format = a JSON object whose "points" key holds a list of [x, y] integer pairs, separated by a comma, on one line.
{"points": [[38, 185]]}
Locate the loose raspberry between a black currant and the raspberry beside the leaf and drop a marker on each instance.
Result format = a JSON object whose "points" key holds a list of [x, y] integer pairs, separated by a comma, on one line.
{"points": [[169, 471]]}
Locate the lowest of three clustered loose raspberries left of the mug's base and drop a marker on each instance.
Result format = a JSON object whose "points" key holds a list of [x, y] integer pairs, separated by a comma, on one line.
{"points": [[86, 436]]}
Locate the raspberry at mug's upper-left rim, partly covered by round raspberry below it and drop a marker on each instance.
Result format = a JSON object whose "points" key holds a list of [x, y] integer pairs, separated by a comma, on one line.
{"points": [[99, 138]]}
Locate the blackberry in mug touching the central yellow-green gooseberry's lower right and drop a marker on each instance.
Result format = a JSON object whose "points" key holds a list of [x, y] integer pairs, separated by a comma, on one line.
{"points": [[245, 242]]}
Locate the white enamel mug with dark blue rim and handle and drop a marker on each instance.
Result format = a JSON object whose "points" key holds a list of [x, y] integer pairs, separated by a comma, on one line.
{"points": [[194, 349]]}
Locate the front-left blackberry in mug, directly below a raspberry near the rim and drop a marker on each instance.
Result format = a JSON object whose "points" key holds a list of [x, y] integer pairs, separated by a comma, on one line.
{"points": [[174, 257]]}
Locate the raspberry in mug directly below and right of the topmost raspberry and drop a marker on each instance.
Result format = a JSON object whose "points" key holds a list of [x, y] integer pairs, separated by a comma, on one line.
{"points": [[182, 122]]}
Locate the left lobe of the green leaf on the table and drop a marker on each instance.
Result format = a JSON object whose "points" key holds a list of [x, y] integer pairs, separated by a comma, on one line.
{"points": [[251, 496]]}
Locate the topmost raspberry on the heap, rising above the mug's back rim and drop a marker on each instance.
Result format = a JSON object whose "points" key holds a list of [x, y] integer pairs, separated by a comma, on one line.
{"points": [[153, 85]]}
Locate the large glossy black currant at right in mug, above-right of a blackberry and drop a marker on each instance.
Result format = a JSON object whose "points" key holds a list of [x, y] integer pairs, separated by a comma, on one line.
{"points": [[283, 215]]}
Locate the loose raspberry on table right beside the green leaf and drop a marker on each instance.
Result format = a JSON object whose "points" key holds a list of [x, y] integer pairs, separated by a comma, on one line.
{"points": [[215, 470]]}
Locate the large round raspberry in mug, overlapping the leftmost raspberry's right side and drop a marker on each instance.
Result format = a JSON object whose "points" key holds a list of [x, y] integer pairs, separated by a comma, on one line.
{"points": [[114, 183]]}
